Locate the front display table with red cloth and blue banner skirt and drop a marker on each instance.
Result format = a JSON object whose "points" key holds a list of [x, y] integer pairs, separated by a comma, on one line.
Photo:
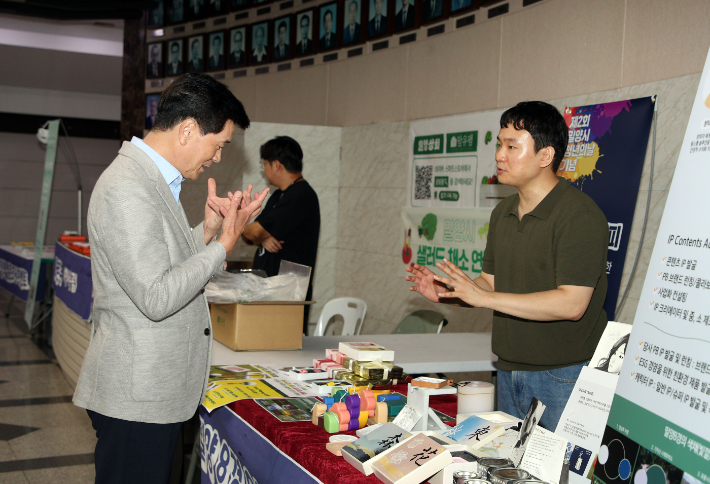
{"points": [[242, 442]]}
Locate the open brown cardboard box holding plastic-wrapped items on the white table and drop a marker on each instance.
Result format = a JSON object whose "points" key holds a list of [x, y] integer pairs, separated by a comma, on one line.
{"points": [[268, 325]]}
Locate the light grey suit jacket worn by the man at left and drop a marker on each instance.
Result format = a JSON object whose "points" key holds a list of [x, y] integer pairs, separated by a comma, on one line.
{"points": [[149, 356]]}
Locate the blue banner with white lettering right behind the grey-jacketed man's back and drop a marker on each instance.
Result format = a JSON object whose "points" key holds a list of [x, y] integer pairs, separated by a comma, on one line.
{"points": [[72, 280]]}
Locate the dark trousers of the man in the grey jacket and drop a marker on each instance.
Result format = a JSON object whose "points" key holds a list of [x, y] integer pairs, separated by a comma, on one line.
{"points": [[133, 452]]}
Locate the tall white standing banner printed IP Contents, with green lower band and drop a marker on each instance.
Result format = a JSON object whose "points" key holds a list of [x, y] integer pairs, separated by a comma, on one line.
{"points": [[659, 424]]}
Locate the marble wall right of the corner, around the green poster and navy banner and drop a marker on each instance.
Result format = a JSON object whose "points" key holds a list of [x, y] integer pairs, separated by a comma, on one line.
{"points": [[373, 192]]}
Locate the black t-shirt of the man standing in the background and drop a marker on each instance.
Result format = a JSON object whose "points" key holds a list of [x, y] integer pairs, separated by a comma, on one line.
{"points": [[291, 216]]}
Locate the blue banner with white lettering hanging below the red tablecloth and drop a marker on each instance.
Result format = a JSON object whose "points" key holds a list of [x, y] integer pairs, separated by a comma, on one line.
{"points": [[233, 452]]}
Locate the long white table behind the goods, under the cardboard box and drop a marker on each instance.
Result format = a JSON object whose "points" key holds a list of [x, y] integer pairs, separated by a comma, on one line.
{"points": [[415, 353]]}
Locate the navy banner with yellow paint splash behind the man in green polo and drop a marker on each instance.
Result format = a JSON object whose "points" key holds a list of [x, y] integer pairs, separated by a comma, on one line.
{"points": [[604, 158]]}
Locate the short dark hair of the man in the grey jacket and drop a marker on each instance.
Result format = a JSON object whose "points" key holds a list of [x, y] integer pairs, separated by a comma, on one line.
{"points": [[200, 97]]}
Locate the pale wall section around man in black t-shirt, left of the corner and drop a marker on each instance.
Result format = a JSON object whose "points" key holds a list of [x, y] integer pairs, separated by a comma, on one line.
{"points": [[241, 166]]}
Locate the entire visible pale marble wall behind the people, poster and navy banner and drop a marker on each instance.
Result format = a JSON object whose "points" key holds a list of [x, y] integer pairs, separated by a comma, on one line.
{"points": [[360, 175]]}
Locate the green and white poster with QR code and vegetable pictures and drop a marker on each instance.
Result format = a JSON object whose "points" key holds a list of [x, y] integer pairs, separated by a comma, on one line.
{"points": [[452, 191]]}
